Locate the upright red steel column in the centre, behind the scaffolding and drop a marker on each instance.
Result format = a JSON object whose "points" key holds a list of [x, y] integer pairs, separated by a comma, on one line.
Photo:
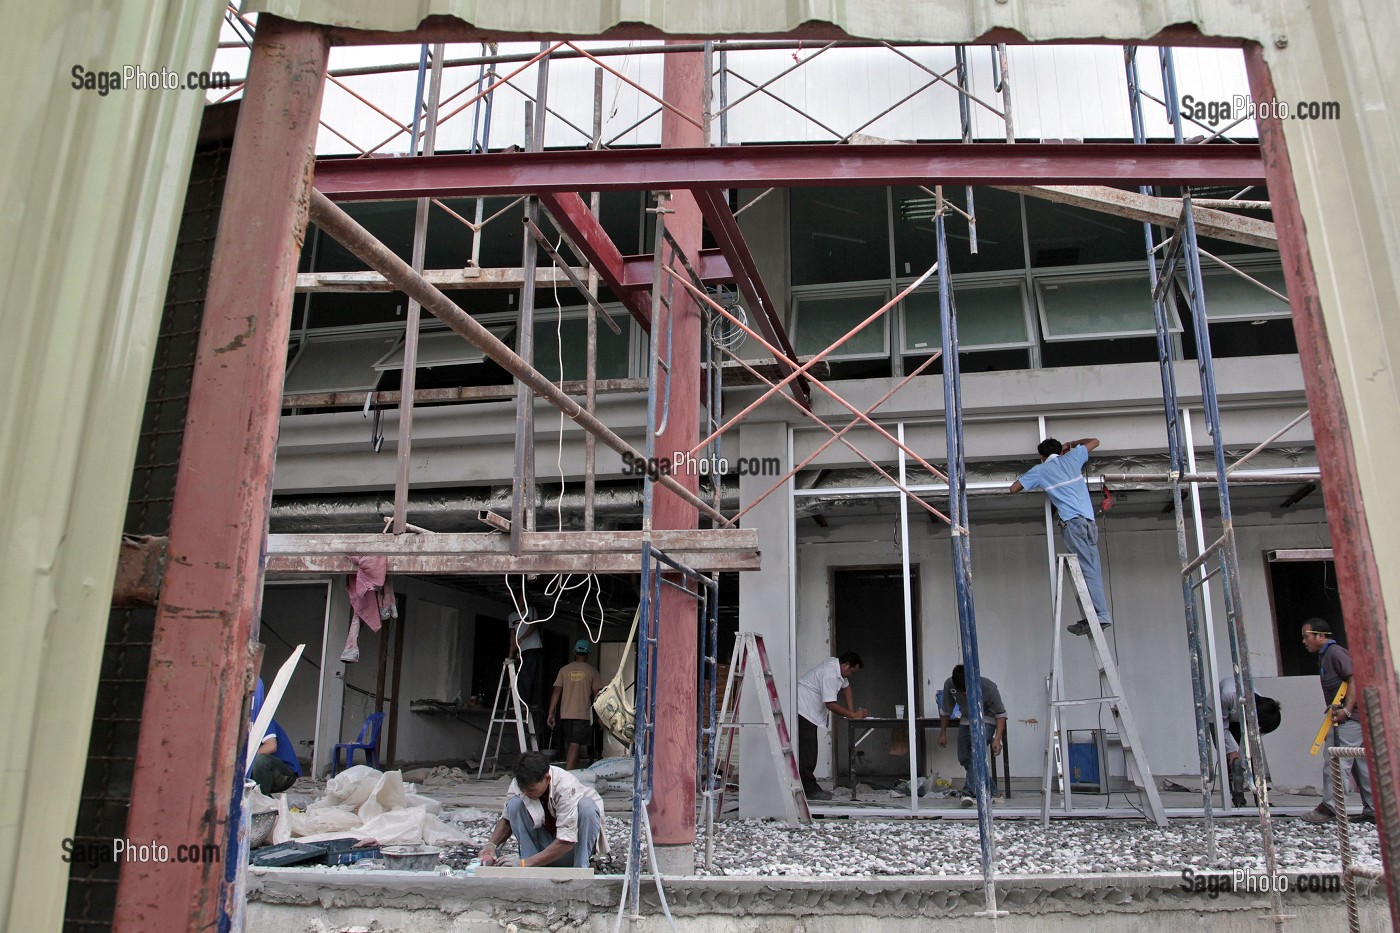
{"points": [[674, 802]]}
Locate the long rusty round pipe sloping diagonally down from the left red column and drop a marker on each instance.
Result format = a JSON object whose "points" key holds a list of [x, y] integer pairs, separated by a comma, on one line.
{"points": [[362, 243]]}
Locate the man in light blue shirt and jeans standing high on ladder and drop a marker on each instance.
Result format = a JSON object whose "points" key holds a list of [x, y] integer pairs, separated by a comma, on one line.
{"points": [[1060, 476]]}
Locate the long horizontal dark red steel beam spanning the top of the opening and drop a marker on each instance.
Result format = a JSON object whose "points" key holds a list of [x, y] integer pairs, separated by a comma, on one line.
{"points": [[670, 169]]}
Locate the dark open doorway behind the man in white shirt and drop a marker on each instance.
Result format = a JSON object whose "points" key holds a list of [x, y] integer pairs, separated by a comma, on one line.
{"points": [[869, 618]]}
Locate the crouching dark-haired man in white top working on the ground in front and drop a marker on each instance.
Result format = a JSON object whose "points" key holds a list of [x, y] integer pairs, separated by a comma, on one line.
{"points": [[556, 820]]}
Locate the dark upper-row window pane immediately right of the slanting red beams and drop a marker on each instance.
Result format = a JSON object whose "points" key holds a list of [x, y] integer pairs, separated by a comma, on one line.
{"points": [[839, 235]]}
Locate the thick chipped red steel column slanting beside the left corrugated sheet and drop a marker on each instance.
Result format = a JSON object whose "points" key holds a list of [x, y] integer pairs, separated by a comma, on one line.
{"points": [[188, 761]]}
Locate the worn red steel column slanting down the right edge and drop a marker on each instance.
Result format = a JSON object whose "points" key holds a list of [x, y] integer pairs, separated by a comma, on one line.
{"points": [[1359, 576]]}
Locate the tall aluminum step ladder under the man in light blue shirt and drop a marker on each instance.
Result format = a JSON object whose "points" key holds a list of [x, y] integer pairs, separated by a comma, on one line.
{"points": [[1056, 750]]}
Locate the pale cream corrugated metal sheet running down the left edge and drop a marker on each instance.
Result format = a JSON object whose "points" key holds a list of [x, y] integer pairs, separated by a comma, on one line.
{"points": [[93, 193]]}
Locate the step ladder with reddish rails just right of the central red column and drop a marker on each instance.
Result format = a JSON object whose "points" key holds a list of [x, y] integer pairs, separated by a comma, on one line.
{"points": [[748, 649]]}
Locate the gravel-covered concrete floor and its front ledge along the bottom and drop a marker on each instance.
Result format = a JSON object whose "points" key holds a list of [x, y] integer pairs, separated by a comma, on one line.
{"points": [[860, 871]]}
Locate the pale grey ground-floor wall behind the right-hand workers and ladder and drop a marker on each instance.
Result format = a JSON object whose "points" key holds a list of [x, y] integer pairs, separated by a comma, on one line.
{"points": [[1013, 597]]}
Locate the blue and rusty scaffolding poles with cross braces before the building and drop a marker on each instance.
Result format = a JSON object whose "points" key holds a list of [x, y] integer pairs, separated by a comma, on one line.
{"points": [[1182, 247]]}
